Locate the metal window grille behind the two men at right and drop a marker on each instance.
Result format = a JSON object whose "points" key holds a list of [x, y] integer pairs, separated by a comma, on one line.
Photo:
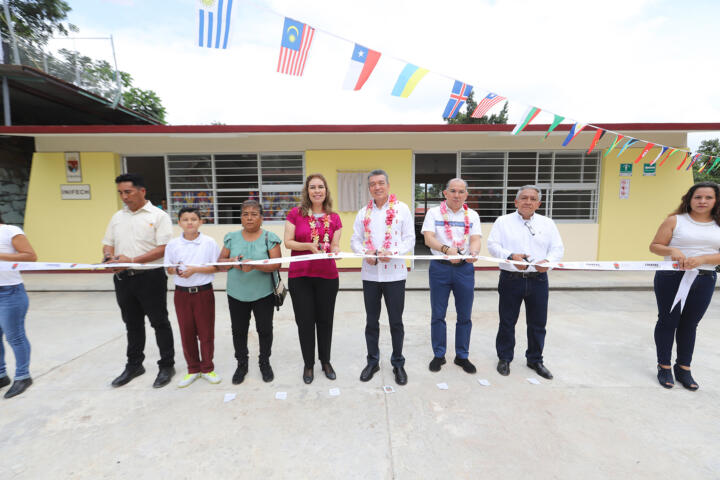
{"points": [[568, 181]]}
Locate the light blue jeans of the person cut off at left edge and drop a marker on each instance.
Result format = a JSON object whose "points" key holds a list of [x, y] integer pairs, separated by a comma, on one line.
{"points": [[13, 307]]}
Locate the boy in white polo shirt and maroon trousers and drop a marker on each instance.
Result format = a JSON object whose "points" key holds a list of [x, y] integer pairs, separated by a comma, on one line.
{"points": [[194, 295]]}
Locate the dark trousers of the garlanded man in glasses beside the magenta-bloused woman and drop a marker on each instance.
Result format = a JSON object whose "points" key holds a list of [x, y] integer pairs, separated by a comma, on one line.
{"points": [[394, 293]]}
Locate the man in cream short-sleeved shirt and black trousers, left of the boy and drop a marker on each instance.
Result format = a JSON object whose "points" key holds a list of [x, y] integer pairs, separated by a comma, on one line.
{"points": [[138, 234]]}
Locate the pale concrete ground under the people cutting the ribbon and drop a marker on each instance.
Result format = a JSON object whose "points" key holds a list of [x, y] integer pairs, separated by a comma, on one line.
{"points": [[603, 416]]}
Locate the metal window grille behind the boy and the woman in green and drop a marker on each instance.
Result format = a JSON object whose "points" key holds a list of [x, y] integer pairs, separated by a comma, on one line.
{"points": [[218, 184]]}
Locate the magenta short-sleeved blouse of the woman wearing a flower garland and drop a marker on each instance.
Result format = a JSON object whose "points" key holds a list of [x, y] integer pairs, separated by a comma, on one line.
{"points": [[325, 268]]}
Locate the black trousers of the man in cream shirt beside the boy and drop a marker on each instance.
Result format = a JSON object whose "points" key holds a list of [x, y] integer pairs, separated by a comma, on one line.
{"points": [[140, 295]]}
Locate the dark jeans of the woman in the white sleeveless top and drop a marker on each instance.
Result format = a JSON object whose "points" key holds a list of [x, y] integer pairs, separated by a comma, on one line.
{"points": [[674, 325]]}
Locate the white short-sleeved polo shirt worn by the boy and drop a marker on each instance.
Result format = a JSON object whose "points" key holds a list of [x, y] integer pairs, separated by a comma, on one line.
{"points": [[192, 252]]}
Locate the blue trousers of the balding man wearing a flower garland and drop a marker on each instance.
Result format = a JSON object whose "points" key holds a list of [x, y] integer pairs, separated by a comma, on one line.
{"points": [[460, 281]]}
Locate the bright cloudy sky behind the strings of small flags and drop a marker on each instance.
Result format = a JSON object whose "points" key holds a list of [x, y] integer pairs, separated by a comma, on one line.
{"points": [[593, 62]]}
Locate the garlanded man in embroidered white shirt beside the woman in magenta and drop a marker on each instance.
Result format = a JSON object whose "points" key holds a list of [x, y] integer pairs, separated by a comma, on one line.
{"points": [[383, 276]]}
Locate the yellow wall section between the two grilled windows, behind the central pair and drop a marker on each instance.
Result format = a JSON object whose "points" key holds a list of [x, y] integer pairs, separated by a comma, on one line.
{"points": [[397, 163]]}
